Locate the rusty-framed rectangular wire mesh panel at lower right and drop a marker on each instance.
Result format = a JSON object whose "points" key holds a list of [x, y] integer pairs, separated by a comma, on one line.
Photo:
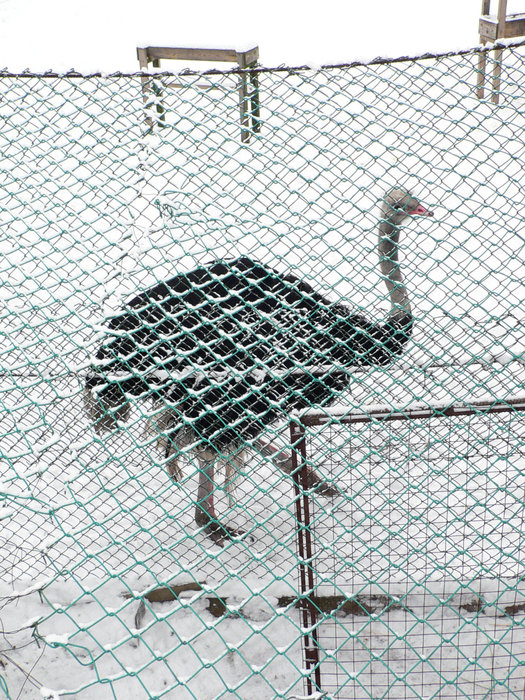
{"points": [[415, 575]]}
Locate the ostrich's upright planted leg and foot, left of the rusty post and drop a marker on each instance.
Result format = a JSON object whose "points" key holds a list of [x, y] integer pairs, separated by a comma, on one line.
{"points": [[204, 510]]}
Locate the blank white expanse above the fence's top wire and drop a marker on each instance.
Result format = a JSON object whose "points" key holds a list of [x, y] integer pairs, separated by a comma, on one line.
{"points": [[103, 34]]}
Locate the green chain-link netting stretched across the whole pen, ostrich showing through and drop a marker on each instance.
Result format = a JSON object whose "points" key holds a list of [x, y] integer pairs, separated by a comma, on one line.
{"points": [[119, 397]]}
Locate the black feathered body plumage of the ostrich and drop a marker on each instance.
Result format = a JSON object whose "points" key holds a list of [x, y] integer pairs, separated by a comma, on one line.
{"points": [[232, 346]]}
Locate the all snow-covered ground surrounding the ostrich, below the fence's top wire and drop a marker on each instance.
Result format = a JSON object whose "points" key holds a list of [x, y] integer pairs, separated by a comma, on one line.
{"points": [[91, 211]]}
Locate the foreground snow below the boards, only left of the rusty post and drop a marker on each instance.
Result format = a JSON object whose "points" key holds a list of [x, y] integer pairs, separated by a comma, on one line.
{"points": [[180, 651]]}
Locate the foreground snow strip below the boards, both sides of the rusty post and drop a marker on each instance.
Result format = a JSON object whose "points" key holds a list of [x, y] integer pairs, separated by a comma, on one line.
{"points": [[183, 650]]}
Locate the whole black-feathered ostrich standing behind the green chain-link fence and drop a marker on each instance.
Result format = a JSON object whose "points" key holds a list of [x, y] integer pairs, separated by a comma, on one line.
{"points": [[225, 350]]}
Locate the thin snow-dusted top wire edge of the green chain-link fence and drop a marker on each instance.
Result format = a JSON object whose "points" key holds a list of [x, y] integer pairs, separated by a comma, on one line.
{"points": [[481, 49]]}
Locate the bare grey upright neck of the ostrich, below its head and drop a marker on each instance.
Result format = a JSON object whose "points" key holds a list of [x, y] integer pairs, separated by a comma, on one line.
{"points": [[389, 263]]}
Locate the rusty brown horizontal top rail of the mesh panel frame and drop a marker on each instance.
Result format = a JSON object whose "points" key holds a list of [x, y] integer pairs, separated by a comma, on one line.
{"points": [[384, 413]]}
